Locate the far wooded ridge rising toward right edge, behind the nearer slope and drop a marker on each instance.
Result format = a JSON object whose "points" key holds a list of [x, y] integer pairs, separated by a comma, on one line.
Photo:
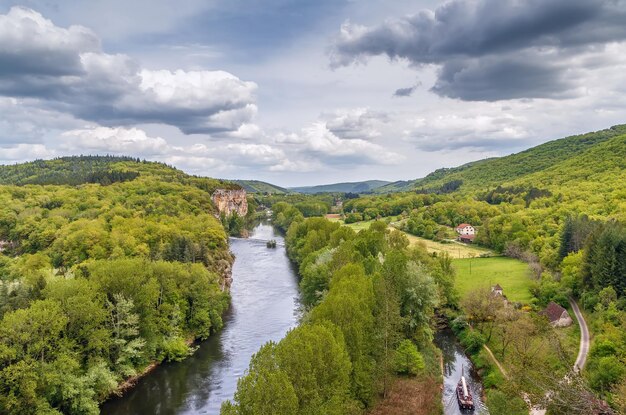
{"points": [[496, 171]]}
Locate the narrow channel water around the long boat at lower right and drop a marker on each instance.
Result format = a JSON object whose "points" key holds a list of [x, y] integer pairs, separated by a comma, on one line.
{"points": [[456, 362]]}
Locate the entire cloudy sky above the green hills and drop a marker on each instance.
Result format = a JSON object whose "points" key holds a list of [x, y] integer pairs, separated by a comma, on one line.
{"points": [[304, 92]]}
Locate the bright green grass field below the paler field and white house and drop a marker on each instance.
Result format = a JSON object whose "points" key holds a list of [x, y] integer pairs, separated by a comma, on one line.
{"points": [[511, 274]]}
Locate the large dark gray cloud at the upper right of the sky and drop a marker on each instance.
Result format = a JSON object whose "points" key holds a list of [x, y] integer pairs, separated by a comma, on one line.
{"points": [[491, 49]]}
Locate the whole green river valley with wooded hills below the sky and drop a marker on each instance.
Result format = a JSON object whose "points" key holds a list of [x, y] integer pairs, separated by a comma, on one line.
{"points": [[140, 249]]}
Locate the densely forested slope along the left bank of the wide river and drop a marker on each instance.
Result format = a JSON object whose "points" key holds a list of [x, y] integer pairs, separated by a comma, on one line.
{"points": [[99, 281]]}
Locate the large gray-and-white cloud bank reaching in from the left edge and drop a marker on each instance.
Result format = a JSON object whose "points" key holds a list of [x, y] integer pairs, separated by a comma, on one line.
{"points": [[67, 71]]}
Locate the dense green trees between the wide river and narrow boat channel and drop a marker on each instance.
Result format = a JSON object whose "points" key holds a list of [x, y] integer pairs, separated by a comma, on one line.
{"points": [[366, 289]]}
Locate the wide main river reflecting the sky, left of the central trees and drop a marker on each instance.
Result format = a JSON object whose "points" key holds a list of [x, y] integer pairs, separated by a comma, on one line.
{"points": [[264, 307]]}
